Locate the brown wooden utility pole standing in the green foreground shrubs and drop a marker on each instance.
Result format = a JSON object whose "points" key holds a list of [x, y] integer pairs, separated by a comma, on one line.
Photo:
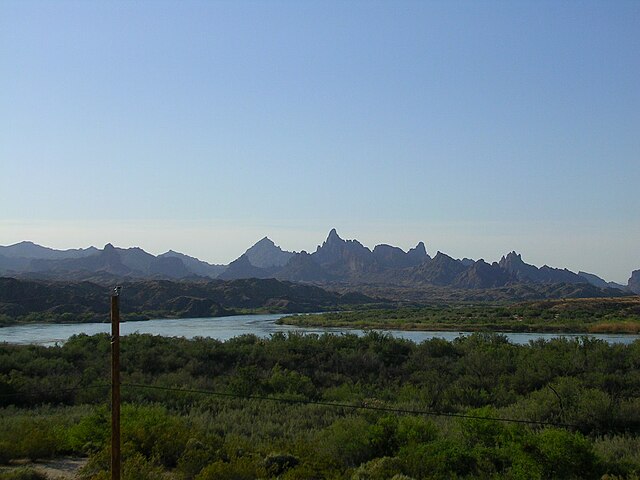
{"points": [[115, 384]]}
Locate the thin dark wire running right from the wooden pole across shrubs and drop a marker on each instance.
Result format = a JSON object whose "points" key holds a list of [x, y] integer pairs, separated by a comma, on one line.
{"points": [[351, 406]]}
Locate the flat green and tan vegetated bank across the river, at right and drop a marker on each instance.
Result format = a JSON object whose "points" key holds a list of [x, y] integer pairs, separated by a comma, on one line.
{"points": [[591, 315]]}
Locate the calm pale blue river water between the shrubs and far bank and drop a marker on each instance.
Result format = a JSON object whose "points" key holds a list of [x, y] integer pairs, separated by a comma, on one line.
{"points": [[224, 328]]}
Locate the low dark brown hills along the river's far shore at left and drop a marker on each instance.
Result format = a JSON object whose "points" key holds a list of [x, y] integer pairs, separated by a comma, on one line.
{"points": [[86, 301]]}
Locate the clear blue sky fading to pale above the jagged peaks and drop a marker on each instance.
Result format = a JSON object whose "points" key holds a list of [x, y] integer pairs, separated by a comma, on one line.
{"points": [[202, 126]]}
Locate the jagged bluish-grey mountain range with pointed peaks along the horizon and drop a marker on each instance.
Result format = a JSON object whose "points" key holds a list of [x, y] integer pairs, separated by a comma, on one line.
{"points": [[336, 261]]}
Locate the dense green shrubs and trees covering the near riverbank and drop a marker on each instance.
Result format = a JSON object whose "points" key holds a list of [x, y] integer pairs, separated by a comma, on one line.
{"points": [[271, 419]]}
